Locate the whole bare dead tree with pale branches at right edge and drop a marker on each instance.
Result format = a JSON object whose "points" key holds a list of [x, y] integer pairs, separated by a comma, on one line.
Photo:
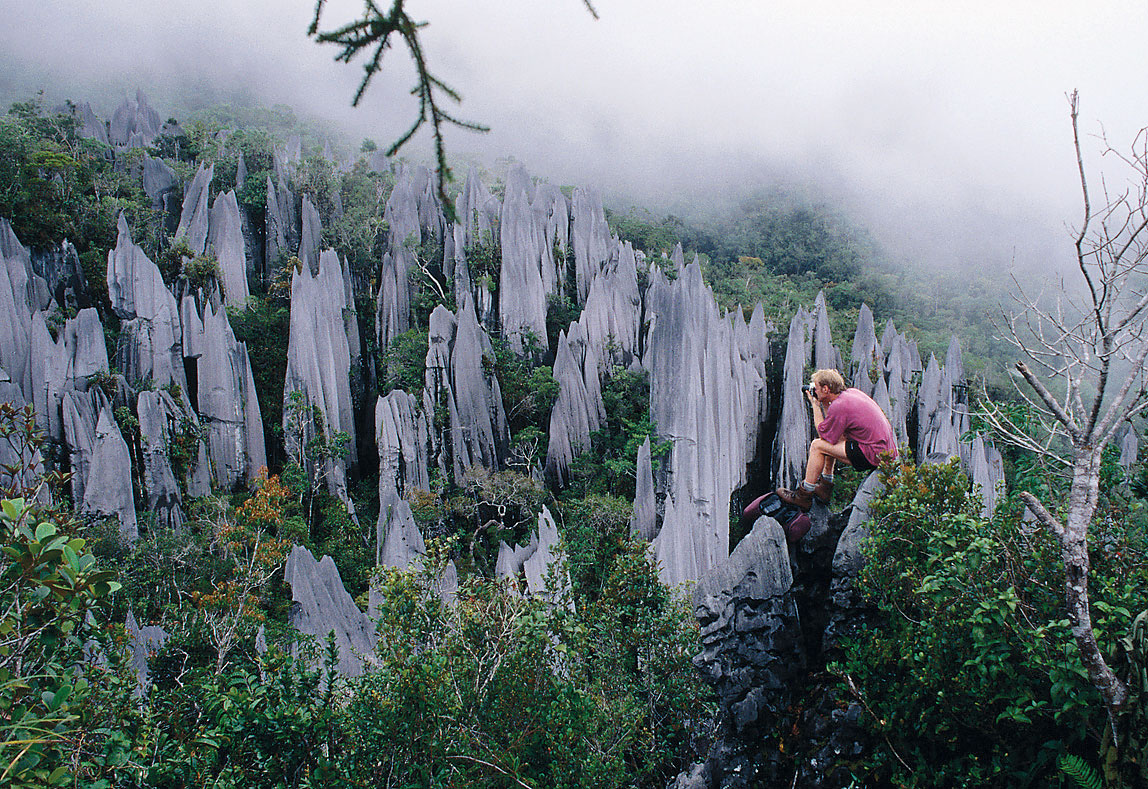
{"points": [[1085, 357]]}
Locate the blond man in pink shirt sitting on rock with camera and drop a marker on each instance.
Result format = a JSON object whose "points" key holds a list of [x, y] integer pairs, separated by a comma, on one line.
{"points": [[855, 431]]}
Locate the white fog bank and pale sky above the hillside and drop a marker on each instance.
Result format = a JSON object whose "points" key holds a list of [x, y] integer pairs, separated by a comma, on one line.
{"points": [[942, 128]]}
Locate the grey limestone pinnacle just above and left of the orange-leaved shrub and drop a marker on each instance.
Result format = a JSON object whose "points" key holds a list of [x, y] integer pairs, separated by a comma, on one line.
{"points": [[229, 405]]}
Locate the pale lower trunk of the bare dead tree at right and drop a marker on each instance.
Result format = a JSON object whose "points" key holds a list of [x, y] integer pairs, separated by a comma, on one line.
{"points": [[1075, 551]]}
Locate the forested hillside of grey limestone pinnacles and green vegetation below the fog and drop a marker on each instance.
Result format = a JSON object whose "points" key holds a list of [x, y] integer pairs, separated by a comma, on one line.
{"points": [[312, 482]]}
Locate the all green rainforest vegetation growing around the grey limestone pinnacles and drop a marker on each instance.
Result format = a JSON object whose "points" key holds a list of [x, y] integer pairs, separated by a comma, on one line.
{"points": [[967, 674]]}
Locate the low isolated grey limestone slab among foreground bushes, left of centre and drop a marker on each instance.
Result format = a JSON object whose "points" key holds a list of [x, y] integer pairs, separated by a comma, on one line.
{"points": [[321, 606]]}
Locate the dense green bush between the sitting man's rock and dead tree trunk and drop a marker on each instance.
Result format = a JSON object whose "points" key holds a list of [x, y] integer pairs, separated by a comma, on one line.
{"points": [[972, 674]]}
